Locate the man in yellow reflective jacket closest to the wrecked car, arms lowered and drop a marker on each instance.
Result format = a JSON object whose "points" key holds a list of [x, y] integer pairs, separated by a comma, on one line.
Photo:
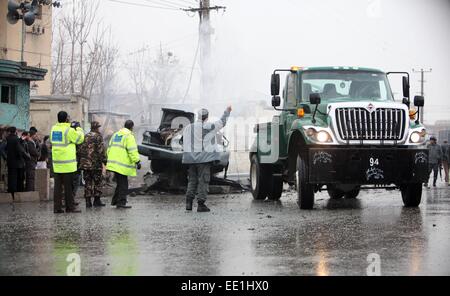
{"points": [[123, 159]]}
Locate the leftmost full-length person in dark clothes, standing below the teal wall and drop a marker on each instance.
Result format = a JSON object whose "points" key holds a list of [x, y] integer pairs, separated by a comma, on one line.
{"points": [[16, 155]]}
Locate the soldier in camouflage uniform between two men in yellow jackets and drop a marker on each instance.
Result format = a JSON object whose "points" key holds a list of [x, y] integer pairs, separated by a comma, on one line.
{"points": [[92, 158]]}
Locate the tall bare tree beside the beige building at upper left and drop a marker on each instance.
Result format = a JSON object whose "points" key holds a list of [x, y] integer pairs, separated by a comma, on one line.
{"points": [[85, 56]]}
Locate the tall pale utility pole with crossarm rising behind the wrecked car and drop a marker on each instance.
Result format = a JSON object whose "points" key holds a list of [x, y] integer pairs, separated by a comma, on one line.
{"points": [[205, 32]]}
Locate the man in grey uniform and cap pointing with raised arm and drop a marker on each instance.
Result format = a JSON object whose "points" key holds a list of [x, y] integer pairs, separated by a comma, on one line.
{"points": [[199, 152]]}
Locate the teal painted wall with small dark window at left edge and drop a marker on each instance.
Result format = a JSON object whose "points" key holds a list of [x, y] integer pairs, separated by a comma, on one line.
{"points": [[16, 115]]}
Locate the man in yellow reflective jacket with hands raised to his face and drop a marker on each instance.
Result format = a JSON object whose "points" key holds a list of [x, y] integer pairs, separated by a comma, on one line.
{"points": [[64, 139]]}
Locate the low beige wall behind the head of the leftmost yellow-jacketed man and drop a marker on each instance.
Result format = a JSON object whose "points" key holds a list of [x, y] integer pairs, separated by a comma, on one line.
{"points": [[43, 114]]}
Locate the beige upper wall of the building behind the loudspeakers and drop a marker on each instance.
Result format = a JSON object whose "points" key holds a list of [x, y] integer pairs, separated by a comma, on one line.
{"points": [[38, 47]]}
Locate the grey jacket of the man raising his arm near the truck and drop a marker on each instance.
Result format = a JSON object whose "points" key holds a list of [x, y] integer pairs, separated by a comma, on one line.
{"points": [[199, 141]]}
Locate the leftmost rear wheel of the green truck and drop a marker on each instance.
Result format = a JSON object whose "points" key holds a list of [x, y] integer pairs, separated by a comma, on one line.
{"points": [[259, 179]]}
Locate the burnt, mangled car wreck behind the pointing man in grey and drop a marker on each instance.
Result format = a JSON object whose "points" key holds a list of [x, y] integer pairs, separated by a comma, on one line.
{"points": [[164, 149]]}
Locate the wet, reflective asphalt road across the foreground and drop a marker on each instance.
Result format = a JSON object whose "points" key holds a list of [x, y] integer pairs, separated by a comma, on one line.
{"points": [[239, 237]]}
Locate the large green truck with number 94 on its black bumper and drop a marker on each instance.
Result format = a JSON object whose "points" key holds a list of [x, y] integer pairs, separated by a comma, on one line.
{"points": [[340, 130]]}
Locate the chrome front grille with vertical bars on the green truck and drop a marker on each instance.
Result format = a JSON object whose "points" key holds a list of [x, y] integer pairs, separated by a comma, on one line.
{"points": [[380, 124]]}
